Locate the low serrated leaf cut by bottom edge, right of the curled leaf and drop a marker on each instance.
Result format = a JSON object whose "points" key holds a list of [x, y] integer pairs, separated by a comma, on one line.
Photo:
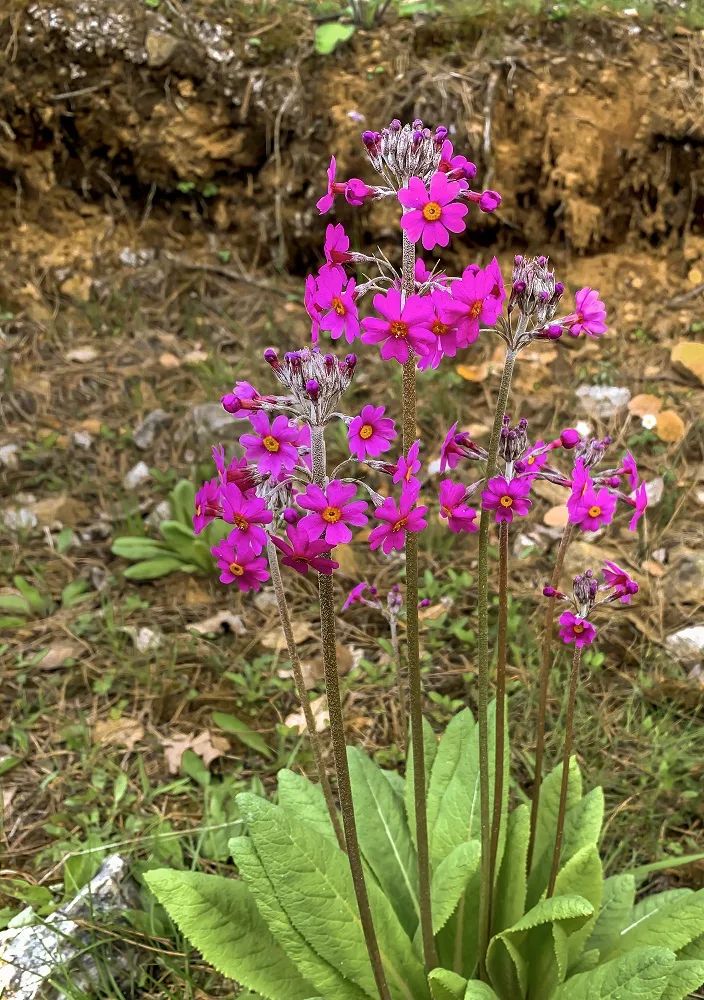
{"points": [[642, 975]]}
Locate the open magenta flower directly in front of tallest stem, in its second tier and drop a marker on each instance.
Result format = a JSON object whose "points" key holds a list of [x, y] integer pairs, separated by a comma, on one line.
{"points": [[401, 330]]}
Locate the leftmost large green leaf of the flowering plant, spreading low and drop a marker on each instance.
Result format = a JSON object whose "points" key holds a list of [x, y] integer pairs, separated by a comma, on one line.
{"points": [[219, 917]]}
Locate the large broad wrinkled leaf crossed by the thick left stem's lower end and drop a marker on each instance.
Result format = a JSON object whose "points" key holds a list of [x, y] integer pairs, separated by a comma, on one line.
{"points": [[314, 886]]}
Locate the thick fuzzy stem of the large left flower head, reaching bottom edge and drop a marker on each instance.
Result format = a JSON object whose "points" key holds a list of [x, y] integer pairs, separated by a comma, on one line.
{"points": [[337, 732]]}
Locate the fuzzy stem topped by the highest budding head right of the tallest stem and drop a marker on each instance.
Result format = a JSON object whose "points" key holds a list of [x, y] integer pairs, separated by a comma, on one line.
{"points": [[485, 887]]}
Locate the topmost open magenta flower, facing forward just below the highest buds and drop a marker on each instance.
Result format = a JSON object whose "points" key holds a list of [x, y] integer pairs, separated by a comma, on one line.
{"points": [[433, 214]]}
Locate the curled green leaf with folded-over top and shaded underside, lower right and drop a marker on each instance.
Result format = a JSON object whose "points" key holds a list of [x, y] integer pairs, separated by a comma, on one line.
{"points": [[533, 953]]}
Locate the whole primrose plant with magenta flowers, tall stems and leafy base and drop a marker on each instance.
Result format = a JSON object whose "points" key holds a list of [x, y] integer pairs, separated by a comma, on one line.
{"points": [[364, 884]]}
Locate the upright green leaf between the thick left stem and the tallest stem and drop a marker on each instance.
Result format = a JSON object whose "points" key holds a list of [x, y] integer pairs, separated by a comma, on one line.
{"points": [[384, 837]]}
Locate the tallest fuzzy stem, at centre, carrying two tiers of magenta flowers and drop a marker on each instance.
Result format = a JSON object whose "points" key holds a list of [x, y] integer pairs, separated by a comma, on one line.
{"points": [[415, 694]]}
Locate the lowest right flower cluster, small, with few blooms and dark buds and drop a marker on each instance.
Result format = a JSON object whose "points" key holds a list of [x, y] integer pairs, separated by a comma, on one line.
{"points": [[575, 626]]}
